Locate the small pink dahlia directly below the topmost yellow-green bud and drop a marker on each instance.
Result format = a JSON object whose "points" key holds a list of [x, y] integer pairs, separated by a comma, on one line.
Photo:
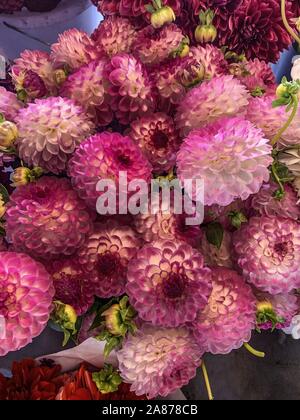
{"points": [[153, 46]]}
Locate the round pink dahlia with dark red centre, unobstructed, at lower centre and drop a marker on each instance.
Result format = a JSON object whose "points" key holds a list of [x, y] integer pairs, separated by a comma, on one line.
{"points": [[167, 283]]}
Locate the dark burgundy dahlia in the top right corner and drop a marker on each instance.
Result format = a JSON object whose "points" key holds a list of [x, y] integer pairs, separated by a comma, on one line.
{"points": [[256, 29]]}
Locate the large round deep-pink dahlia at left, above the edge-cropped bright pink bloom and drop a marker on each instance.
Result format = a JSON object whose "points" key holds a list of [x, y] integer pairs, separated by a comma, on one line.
{"points": [[47, 219]]}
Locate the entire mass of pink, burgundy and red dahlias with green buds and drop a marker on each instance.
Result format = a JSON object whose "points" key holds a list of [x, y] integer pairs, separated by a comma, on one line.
{"points": [[153, 201]]}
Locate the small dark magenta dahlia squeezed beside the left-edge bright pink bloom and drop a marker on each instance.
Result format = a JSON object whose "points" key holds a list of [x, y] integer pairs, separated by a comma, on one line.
{"points": [[72, 285]]}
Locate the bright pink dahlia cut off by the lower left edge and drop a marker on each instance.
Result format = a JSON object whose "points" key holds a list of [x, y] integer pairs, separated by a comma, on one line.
{"points": [[26, 293]]}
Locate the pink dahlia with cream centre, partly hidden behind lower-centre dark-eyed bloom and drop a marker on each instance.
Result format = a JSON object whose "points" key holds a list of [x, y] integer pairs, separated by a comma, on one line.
{"points": [[229, 318]]}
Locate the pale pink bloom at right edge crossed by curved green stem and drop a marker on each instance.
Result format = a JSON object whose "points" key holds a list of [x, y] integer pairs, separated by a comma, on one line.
{"points": [[261, 113]]}
